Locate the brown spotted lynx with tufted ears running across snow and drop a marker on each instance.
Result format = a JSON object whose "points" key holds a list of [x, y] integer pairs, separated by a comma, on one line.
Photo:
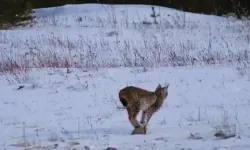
{"points": [[135, 99]]}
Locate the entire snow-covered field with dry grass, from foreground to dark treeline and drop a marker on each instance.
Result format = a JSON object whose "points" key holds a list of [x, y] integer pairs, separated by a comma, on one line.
{"points": [[60, 78]]}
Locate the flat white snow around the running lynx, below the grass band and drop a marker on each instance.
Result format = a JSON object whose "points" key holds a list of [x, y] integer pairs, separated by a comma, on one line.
{"points": [[84, 109]]}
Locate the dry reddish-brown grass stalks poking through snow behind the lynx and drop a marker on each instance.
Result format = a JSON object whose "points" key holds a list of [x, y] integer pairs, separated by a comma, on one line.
{"points": [[53, 51]]}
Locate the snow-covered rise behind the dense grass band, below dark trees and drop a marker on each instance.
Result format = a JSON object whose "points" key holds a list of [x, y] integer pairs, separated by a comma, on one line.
{"points": [[92, 35]]}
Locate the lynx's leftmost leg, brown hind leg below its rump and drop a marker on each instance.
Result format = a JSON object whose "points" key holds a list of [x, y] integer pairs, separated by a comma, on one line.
{"points": [[132, 114]]}
